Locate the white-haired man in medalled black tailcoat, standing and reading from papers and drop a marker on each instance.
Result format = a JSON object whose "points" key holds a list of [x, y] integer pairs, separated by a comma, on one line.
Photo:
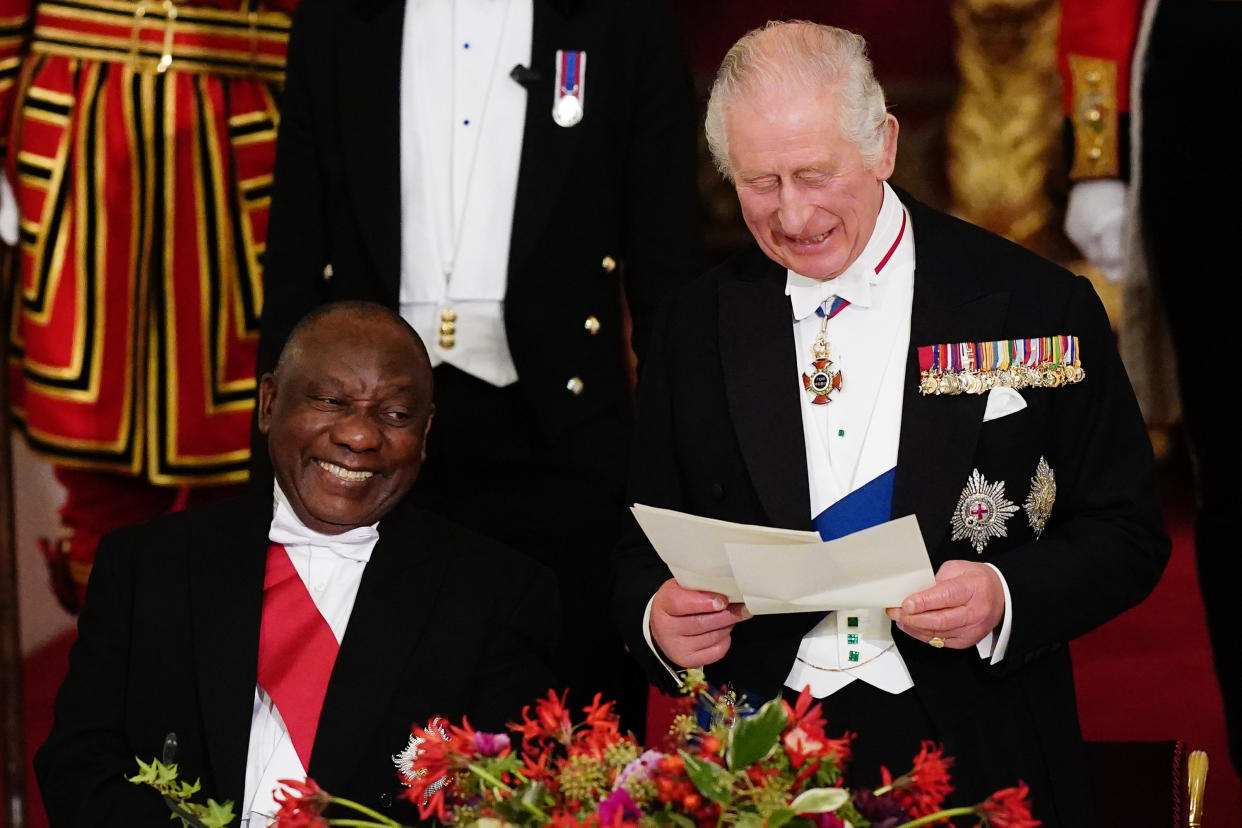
{"points": [[875, 359]]}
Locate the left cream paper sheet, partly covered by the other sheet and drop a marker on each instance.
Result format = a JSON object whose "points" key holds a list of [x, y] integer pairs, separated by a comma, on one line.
{"points": [[694, 547]]}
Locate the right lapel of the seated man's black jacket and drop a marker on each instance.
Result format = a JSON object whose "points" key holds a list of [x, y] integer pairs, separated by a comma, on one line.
{"points": [[386, 625]]}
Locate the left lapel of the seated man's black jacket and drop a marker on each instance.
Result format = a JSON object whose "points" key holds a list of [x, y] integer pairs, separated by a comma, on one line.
{"points": [[227, 600]]}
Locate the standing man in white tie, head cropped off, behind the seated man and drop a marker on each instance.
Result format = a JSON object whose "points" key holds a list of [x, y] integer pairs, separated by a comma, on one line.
{"points": [[514, 177]]}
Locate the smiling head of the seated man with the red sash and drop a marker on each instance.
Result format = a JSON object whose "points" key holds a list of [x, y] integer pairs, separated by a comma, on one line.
{"points": [[346, 416]]}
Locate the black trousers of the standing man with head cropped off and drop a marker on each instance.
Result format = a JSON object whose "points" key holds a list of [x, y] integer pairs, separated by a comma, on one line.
{"points": [[558, 501]]}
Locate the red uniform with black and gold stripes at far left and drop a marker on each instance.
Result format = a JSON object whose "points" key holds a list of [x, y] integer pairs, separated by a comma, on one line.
{"points": [[141, 147]]}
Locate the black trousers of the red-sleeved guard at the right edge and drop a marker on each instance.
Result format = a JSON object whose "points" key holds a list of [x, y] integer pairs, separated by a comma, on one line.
{"points": [[1192, 171]]}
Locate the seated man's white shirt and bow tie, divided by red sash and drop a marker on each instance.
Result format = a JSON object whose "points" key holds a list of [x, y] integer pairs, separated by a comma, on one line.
{"points": [[332, 569]]}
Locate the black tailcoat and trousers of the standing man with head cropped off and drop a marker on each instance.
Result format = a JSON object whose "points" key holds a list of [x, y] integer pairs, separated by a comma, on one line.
{"points": [[603, 209]]}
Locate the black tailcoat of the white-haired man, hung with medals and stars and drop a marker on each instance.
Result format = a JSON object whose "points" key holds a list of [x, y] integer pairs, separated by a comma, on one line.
{"points": [[720, 435]]}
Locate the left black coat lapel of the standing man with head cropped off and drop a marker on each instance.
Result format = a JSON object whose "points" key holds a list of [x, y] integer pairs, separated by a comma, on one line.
{"points": [[371, 107]]}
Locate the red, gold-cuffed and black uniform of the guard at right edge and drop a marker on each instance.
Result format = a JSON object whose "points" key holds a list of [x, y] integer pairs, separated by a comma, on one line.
{"points": [[1169, 64]]}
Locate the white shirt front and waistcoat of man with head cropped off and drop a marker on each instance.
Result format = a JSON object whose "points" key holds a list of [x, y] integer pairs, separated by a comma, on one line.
{"points": [[463, 122]]}
